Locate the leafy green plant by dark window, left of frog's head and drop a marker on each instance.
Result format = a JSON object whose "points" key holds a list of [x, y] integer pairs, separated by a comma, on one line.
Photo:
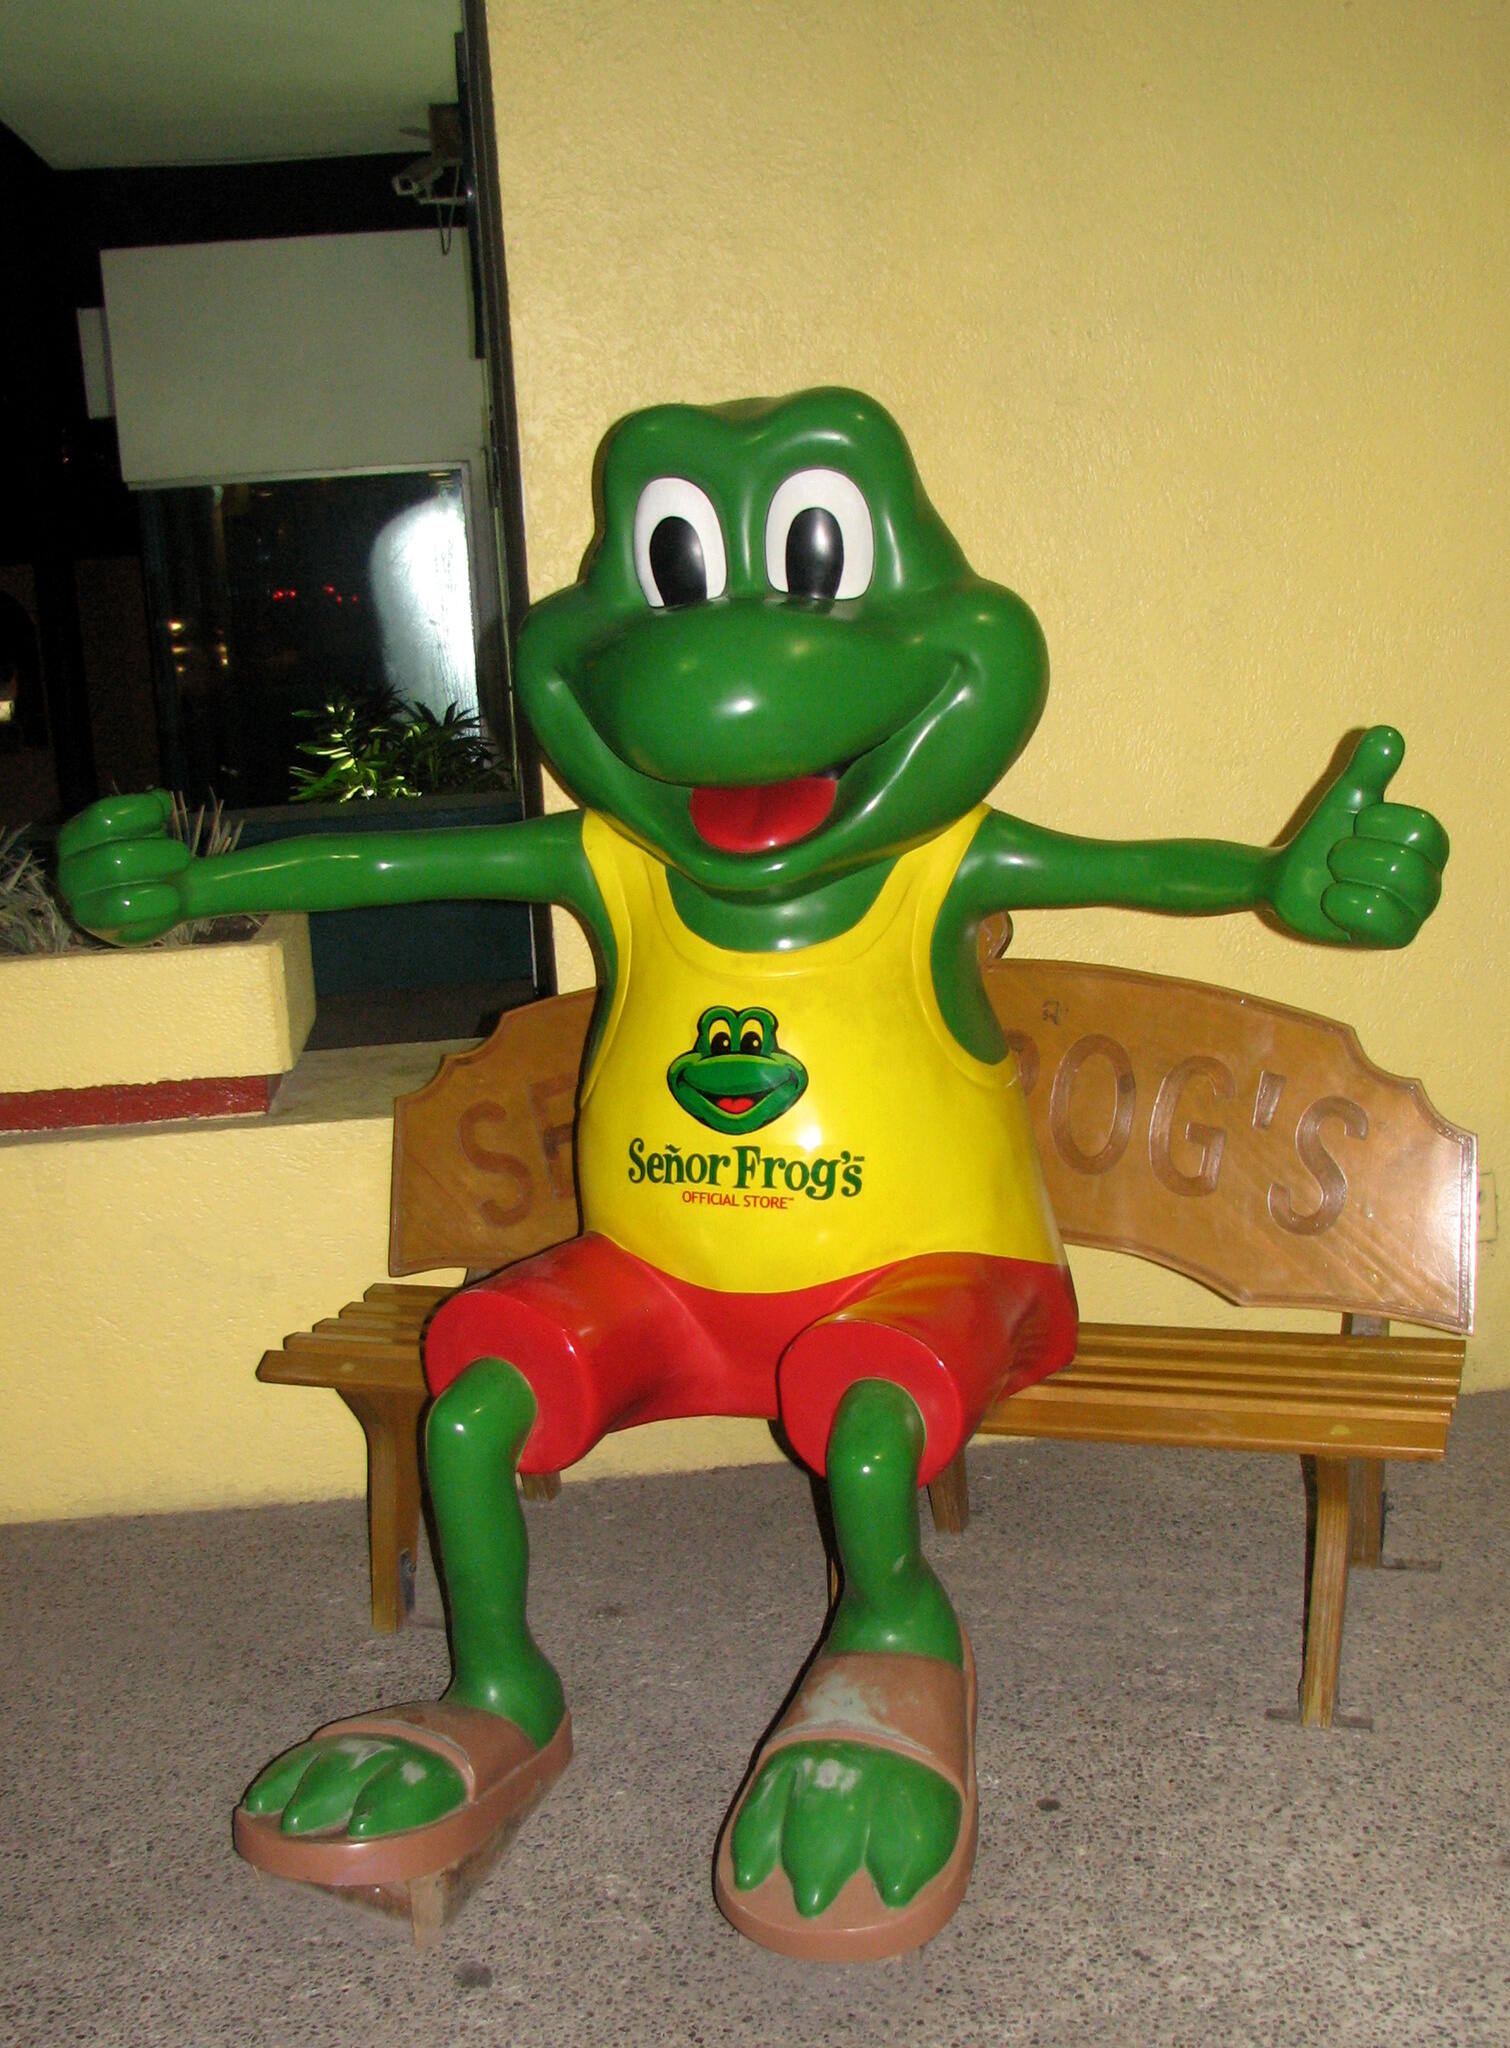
{"points": [[380, 746]]}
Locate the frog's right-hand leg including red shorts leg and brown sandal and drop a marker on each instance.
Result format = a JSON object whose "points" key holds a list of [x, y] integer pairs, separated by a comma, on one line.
{"points": [[857, 1828]]}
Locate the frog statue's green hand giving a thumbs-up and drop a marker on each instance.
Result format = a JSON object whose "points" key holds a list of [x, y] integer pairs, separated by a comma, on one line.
{"points": [[1361, 871]]}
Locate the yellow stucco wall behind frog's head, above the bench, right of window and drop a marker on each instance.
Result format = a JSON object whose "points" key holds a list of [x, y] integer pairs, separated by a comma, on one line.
{"points": [[1193, 318]]}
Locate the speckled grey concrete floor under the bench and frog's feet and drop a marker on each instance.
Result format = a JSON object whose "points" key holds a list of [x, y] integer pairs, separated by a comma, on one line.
{"points": [[1161, 1865]]}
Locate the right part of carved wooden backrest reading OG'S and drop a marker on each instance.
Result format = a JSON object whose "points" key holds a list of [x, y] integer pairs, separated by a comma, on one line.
{"points": [[1243, 1144]]}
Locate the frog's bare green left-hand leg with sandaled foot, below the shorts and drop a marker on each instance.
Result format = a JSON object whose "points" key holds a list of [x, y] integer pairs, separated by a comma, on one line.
{"points": [[419, 1789]]}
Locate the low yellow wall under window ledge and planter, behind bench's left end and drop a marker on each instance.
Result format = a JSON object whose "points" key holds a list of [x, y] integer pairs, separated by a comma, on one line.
{"points": [[146, 1271]]}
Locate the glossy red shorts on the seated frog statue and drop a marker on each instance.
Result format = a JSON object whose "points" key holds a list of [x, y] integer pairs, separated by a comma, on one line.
{"points": [[607, 1340]]}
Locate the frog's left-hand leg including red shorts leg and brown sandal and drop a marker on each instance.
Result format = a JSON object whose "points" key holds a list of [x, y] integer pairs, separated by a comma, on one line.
{"points": [[587, 1330]]}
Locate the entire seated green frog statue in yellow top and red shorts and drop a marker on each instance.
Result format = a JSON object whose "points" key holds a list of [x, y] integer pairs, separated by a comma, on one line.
{"points": [[808, 1183]]}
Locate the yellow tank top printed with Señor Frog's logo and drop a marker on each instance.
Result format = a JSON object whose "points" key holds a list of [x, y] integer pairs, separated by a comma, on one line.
{"points": [[773, 1121]]}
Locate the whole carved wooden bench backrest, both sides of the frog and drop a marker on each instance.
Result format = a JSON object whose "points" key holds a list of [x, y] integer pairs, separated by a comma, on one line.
{"points": [[1247, 1146]]}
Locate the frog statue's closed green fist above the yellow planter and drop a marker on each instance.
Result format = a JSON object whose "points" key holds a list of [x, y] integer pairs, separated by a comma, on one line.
{"points": [[120, 869]]}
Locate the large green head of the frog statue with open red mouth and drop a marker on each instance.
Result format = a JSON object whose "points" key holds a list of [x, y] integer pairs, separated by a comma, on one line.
{"points": [[778, 667]]}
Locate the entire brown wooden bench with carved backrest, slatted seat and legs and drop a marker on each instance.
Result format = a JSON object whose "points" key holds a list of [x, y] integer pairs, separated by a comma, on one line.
{"points": [[1241, 1144]]}
